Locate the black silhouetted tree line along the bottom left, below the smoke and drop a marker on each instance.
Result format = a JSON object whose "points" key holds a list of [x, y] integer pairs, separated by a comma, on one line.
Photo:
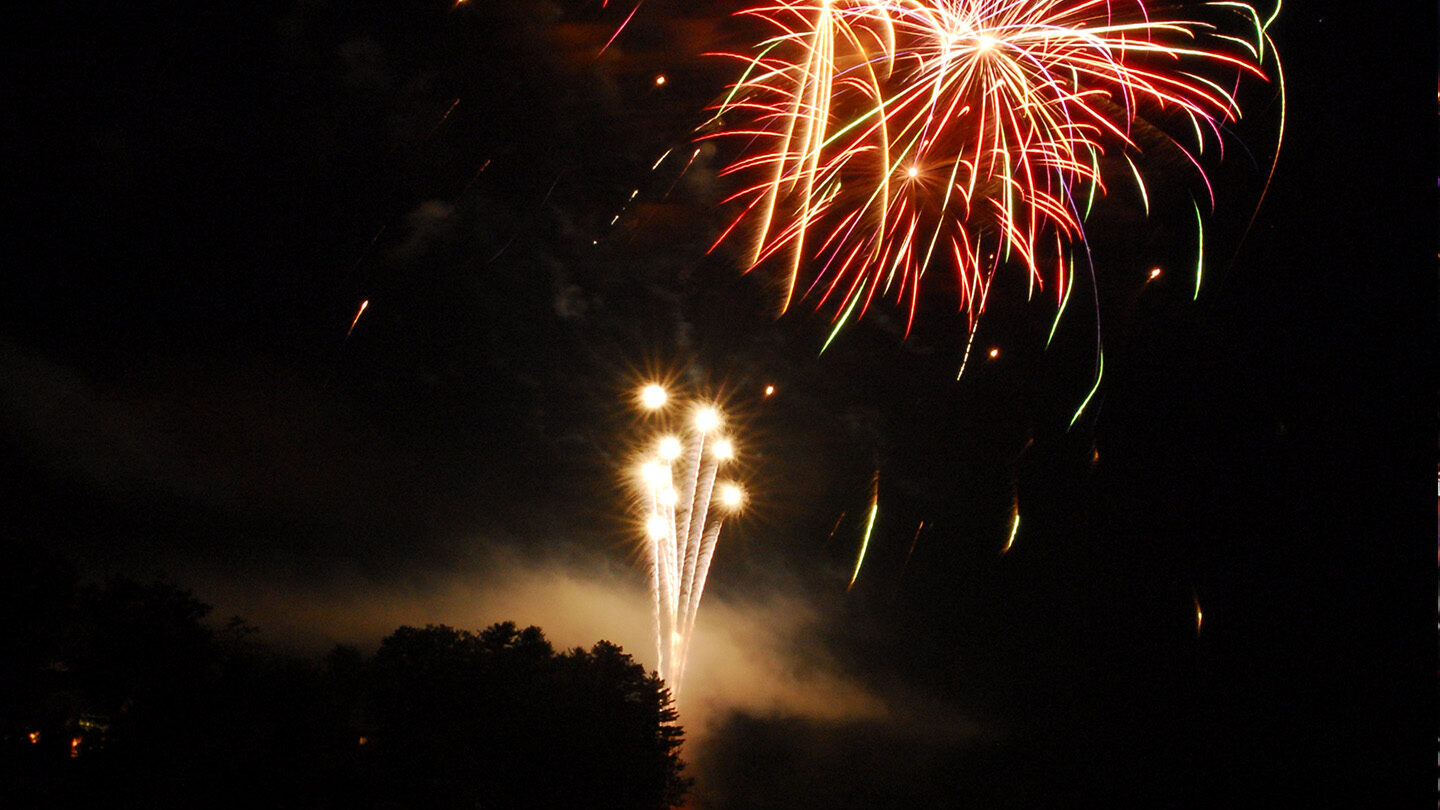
{"points": [[122, 694]]}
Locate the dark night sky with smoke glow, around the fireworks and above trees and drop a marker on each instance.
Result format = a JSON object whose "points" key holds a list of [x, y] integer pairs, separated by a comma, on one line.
{"points": [[202, 195]]}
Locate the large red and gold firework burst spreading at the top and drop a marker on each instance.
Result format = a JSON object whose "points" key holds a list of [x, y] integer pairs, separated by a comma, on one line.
{"points": [[886, 138]]}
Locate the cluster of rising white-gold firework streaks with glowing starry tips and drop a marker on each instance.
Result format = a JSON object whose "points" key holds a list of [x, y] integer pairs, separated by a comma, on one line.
{"points": [[679, 486]]}
